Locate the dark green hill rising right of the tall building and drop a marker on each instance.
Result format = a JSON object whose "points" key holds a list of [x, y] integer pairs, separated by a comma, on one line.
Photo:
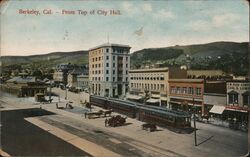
{"points": [[230, 57]]}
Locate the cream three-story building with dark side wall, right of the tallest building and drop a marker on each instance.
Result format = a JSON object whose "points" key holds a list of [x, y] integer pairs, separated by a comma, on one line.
{"points": [[152, 83]]}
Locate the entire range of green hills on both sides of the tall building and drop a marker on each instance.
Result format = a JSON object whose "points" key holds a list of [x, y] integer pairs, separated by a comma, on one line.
{"points": [[231, 57]]}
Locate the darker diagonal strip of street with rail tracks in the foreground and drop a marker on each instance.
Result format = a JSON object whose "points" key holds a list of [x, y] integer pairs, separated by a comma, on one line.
{"points": [[117, 143]]}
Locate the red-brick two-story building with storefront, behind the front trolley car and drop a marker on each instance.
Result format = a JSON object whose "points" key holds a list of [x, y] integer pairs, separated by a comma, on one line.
{"points": [[185, 93]]}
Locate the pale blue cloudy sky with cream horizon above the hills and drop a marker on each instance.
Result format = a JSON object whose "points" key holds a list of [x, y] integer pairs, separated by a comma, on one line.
{"points": [[140, 24]]}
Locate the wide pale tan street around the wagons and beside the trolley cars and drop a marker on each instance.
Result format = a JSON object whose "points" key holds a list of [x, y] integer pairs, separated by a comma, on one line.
{"points": [[131, 140]]}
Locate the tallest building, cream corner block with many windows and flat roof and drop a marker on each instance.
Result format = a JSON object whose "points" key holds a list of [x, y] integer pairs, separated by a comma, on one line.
{"points": [[108, 69]]}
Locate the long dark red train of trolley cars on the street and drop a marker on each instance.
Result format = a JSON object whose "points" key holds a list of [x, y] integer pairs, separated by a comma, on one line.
{"points": [[152, 114]]}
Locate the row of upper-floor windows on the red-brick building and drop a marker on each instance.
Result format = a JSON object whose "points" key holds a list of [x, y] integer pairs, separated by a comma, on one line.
{"points": [[185, 90]]}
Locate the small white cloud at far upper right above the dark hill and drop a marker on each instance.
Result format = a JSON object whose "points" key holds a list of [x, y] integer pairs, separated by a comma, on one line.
{"points": [[224, 19]]}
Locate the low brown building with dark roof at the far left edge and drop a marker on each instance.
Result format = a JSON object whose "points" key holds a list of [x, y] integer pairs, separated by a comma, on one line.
{"points": [[24, 86]]}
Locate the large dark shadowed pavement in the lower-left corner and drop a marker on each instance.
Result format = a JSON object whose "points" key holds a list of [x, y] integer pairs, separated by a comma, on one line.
{"points": [[21, 138]]}
